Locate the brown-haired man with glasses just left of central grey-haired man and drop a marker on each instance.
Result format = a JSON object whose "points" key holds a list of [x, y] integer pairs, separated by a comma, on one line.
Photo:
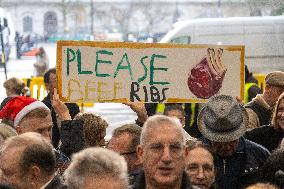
{"points": [[124, 141]]}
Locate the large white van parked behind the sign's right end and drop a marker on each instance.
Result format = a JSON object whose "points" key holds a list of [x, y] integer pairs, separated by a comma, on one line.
{"points": [[263, 38]]}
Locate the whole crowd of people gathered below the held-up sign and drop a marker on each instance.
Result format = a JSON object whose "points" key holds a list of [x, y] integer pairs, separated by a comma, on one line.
{"points": [[52, 145]]}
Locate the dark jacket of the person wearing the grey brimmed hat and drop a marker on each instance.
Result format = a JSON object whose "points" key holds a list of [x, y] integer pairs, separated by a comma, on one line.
{"points": [[242, 168]]}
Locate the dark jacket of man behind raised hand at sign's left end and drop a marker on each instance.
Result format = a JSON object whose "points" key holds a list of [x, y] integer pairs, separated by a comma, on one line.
{"points": [[73, 111]]}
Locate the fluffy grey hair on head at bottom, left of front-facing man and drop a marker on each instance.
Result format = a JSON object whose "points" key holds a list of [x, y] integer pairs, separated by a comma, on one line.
{"points": [[95, 162]]}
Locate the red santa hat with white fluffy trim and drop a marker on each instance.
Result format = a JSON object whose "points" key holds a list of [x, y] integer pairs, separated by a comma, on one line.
{"points": [[18, 107]]}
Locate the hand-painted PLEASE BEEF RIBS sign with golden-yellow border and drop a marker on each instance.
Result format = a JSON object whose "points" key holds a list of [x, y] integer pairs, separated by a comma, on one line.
{"points": [[90, 71]]}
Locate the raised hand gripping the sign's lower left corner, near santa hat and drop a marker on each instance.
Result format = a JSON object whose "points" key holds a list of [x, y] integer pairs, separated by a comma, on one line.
{"points": [[59, 107]]}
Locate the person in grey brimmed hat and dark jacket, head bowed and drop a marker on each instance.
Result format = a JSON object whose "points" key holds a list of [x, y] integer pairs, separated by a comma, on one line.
{"points": [[223, 122]]}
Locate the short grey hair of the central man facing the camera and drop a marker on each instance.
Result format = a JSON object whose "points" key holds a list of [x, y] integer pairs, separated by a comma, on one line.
{"points": [[157, 121]]}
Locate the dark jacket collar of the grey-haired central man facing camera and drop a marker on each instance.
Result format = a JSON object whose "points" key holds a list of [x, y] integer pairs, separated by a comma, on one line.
{"points": [[140, 182]]}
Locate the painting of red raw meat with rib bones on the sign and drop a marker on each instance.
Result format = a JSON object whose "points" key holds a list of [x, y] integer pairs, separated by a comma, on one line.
{"points": [[206, 78]]}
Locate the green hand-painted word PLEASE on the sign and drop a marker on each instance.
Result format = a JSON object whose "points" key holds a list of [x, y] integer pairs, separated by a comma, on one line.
{"points": [[75, 57]]}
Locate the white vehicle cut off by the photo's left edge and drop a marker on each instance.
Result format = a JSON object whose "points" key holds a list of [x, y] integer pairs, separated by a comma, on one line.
{"points": [[8, 33]]}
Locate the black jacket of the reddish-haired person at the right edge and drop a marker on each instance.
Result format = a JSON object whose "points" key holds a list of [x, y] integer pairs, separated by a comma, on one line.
{"points": [[267, 136]]}
